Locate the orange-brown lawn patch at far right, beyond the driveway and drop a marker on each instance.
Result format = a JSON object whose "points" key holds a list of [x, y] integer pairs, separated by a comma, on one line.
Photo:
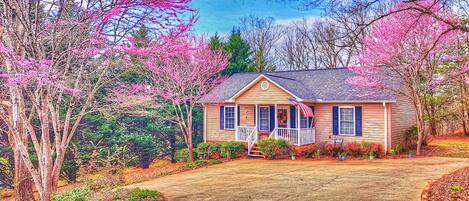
{"points": [[457, 147]]}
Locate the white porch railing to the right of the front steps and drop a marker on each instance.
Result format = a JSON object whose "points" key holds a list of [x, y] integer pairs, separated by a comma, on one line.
{"points": [[296, 136]]}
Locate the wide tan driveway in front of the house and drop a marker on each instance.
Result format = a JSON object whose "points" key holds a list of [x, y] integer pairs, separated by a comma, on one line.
{"points": [[401, 179]]}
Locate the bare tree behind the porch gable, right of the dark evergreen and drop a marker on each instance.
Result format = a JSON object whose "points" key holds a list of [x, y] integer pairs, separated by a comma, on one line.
{"points": [[262, 34]]}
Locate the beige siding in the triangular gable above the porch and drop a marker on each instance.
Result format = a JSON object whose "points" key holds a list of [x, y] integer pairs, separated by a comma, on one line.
{"points": [[255, 95]]}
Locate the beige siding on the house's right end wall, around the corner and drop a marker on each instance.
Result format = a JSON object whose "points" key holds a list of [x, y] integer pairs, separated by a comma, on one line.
{"points": [[403, 117]]}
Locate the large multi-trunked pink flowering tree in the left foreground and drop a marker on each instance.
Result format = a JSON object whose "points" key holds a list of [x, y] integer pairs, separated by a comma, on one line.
{"points": [[54, 57]]}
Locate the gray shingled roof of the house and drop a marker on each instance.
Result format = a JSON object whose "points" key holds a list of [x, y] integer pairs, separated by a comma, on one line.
{"points": [[320, 85]]}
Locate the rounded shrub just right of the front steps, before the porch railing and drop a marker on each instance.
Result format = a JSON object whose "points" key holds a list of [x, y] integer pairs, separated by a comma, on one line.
{"points": [[272, 148]]}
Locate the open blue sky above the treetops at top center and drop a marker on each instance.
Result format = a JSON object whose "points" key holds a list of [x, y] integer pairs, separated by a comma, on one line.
{"points": [[219, 16]]}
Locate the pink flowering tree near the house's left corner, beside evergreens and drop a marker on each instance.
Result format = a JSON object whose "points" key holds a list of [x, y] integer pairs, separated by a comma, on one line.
{"points": [[181, 77]]}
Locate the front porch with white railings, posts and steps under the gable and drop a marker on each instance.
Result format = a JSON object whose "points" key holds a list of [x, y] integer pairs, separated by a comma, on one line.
{"points": [[278, 121]]}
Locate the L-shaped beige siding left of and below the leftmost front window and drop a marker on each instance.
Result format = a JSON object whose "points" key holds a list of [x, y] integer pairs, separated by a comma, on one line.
{"points": [[213, 131]]}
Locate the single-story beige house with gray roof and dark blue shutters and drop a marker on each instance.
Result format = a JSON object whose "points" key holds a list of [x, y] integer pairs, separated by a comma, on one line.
{"points": [[249, 106]]}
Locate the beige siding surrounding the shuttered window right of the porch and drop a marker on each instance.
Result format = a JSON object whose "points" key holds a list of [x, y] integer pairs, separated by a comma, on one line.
{"points": [[372, 123]]}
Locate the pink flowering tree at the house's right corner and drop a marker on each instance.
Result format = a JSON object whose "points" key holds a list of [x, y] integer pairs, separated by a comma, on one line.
{"points": [[411, 47]]}
